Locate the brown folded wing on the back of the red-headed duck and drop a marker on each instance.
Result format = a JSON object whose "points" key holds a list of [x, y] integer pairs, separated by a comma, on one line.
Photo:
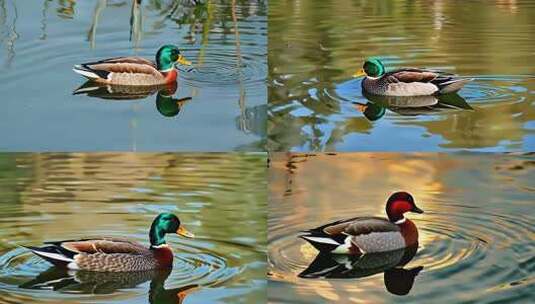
{"points": [[364, 225]]}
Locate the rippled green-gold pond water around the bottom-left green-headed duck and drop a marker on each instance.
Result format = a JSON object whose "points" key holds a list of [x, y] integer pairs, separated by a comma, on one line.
{"points": [[221, 198]]}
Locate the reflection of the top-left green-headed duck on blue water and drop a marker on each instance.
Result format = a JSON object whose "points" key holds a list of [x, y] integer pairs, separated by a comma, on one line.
{"points": [[165, 103]]}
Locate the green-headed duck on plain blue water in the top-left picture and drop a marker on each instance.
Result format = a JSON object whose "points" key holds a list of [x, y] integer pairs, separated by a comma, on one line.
{"points": [[135, 71]]}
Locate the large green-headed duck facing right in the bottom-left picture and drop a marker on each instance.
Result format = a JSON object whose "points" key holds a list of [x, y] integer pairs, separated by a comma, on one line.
{"points": [[116, 254]]}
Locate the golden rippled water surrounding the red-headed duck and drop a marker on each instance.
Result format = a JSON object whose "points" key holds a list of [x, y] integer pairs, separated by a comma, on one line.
{"points": [[477, 241]]}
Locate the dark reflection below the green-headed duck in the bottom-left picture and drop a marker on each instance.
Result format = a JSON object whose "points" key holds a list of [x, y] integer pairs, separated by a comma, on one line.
{"points": [[90, 282]]}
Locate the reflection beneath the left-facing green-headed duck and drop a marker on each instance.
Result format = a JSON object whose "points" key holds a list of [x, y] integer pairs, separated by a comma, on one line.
{"points": [[410, 105]]}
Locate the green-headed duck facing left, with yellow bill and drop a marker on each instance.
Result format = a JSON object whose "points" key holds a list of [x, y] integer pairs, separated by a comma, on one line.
{"points": [[407, 81]]}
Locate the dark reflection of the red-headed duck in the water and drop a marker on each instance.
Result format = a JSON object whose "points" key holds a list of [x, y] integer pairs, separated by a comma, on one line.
{"points": [[397, 280]]}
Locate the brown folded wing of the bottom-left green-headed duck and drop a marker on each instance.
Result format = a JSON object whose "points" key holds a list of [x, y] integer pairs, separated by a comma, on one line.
{"points": [[103, 245]]}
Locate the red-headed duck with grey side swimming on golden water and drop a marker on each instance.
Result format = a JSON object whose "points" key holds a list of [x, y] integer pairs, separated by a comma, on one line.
{"points": [[361, 235]]}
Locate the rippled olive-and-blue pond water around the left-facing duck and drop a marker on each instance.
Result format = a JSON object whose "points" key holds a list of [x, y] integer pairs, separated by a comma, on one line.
{"points": [[316, 46]]}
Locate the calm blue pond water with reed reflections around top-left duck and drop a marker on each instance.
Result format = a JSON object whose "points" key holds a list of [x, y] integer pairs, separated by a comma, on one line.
{"points": [[41, 41]]}
